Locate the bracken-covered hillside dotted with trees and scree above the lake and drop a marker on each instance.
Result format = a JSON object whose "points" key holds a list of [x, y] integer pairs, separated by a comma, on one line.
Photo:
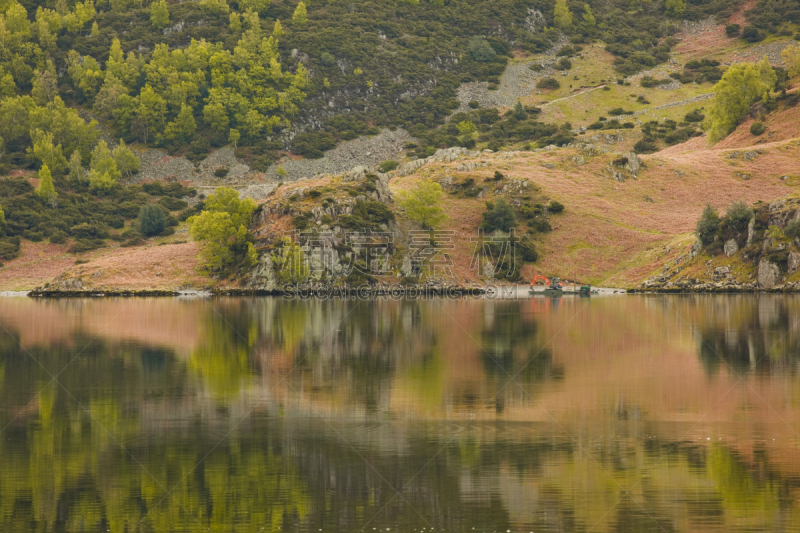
{"points": [[603, 122]]}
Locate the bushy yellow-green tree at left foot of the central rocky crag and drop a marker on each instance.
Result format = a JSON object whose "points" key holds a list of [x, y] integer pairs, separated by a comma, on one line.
{"points": [[222, 228]]}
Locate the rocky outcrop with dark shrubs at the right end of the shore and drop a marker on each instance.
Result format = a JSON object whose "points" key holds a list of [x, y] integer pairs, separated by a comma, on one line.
{"points": [[763, 254]]}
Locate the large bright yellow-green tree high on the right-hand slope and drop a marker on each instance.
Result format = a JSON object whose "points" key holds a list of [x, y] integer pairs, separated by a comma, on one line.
{"points": [[741, 86]]}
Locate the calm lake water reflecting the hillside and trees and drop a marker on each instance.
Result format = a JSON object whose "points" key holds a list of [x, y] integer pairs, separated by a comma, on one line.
{"points": [[627, 413]]}
